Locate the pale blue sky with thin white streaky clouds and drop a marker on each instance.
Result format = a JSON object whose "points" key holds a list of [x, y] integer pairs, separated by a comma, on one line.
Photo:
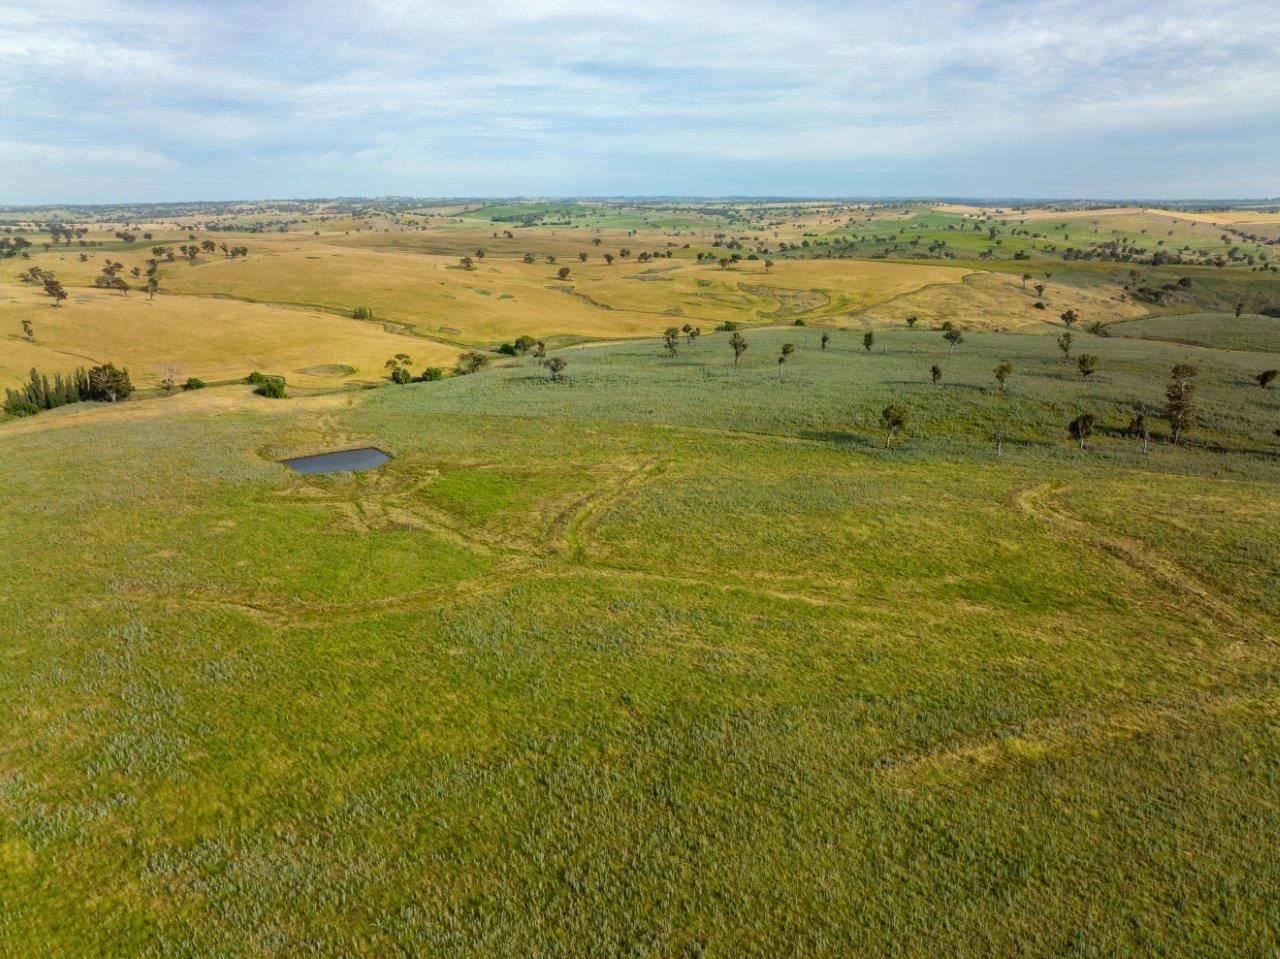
{"points": [[129, 102]]}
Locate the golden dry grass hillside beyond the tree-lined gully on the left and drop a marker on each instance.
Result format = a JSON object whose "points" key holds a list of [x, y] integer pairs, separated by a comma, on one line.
{"points": [[286, 307]]}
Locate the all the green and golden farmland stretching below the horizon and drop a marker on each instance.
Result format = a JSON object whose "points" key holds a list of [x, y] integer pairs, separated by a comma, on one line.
{"points": [[674, 652]]}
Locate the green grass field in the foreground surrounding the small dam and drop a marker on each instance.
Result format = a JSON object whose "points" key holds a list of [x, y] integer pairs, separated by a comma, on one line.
{"points": [[674, 659]]}
